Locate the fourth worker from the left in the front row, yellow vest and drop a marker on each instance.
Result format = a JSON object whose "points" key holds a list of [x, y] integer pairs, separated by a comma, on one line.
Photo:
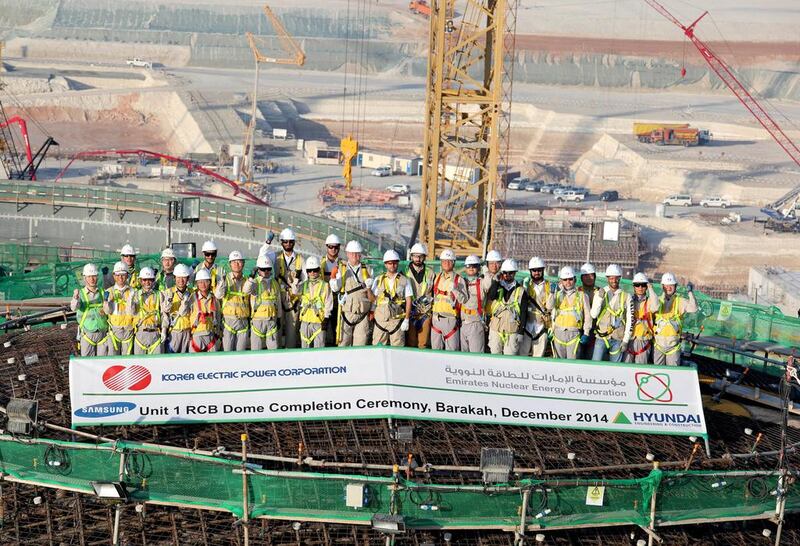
{"points": [[176, 304]]}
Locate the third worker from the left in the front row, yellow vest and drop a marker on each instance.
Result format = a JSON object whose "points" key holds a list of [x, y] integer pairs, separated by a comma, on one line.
{"points": [[149, 322]]}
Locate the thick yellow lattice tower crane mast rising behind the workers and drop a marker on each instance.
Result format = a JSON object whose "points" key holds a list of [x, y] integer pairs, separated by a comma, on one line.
{"points": [[466, 122]]}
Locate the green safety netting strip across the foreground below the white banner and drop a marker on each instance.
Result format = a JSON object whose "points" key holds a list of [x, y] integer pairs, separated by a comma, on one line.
{"points": [[161, 474]]}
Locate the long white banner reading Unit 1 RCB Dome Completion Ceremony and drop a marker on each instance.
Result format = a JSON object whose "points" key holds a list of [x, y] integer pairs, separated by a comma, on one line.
{"points": [[377, 382]]}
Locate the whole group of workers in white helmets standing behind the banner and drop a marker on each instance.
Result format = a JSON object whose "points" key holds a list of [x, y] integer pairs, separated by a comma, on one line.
{"points": [[290, 301]]}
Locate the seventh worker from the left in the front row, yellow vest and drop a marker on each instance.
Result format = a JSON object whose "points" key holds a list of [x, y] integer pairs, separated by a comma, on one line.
{"points": [[266, 309]]}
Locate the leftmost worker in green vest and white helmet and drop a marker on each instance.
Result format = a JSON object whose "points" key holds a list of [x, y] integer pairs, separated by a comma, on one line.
{"points": [[87, 302]]}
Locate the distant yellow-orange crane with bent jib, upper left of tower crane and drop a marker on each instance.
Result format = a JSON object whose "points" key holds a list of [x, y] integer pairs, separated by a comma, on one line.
{"points": [[295, 56]]}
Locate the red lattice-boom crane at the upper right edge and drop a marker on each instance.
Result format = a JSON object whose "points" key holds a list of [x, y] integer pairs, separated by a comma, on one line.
{"points": [[787, 203]]}
